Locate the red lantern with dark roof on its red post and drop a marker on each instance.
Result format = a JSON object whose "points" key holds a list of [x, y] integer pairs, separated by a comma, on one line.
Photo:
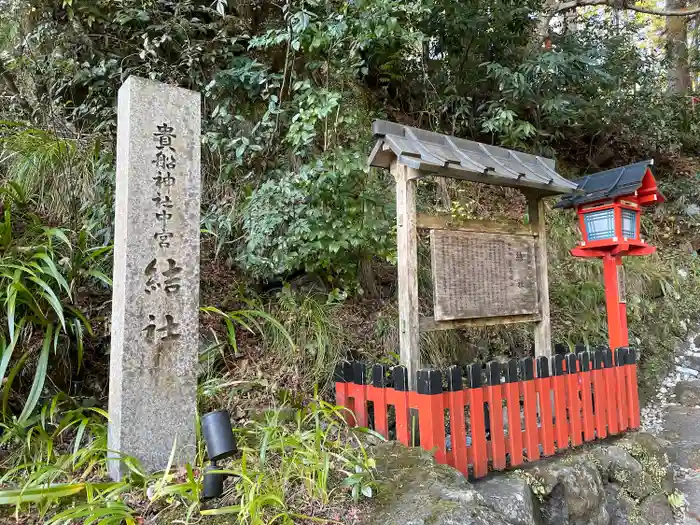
{"points": [[609, 206]]}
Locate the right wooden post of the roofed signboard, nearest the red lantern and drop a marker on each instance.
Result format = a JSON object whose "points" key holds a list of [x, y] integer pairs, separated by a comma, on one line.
{"points": [[543, 331]]}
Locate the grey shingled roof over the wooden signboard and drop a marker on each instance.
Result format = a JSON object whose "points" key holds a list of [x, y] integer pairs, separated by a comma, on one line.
{"points": [[463, 159]]}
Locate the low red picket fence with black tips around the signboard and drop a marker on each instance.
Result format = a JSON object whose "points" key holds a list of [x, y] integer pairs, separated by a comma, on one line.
{"points": [[520, 410]]}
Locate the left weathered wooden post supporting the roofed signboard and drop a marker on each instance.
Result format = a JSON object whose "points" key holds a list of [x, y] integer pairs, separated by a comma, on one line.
{"points": [[407, 251]]}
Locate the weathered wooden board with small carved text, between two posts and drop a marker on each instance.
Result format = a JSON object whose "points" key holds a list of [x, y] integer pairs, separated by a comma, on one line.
{"points": [[479, 275]]}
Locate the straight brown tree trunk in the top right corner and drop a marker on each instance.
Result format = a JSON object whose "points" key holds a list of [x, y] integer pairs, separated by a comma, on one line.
{"points": [[677, 49]]}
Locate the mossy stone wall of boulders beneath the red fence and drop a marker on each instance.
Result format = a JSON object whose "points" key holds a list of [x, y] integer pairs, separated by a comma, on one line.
{"points": [[617, 483]]}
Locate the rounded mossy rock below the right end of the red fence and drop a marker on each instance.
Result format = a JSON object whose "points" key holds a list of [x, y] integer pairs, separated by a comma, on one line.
{"points": [[618, 465]]}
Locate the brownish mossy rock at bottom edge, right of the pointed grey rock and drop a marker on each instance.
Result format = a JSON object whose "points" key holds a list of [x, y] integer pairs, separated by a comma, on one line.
{"points": [[574, 494]]}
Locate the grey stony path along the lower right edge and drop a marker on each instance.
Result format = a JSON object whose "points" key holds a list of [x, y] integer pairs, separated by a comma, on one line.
{"points": [[674, 416]]}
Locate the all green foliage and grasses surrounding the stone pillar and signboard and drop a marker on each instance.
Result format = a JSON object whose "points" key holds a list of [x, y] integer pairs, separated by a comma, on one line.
{"points": [[298, 248]]}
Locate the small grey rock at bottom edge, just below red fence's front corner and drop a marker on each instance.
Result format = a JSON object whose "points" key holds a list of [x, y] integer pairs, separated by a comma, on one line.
{"points": [[510, 496]]}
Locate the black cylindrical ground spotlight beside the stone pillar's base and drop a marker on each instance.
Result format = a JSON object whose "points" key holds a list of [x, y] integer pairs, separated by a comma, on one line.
{"points": [[221, 444]]}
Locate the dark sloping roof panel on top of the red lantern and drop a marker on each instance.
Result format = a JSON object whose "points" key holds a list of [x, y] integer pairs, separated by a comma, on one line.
{"points": [[609, 184]]}
